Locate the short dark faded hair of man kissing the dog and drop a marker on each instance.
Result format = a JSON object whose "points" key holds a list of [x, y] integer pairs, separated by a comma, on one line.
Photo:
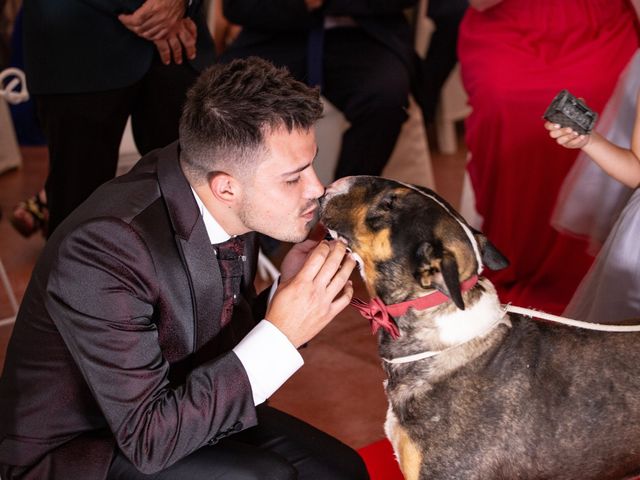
{"points": [[230, 108]]}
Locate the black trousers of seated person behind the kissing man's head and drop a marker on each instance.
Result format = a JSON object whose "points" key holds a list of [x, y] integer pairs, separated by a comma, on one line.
{"points": [[363, 78]]}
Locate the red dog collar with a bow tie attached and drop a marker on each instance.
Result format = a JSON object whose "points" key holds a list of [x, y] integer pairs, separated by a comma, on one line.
{"points": [[381, 315]]}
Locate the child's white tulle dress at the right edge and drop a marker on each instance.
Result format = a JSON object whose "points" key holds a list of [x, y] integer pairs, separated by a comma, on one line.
{"points": [[592, 203]]}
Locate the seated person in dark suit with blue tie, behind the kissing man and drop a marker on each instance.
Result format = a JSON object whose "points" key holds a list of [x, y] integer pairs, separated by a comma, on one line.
{"points": [[360, 52]]}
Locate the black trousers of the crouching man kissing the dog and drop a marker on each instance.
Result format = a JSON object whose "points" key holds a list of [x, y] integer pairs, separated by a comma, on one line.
{"points": [[280, 447]]}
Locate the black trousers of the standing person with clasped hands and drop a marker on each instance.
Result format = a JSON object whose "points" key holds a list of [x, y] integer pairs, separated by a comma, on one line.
{"points": [[84, 131]]}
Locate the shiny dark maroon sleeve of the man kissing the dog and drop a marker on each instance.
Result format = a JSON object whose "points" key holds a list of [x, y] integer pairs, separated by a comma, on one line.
{"points": [[102, 297]]}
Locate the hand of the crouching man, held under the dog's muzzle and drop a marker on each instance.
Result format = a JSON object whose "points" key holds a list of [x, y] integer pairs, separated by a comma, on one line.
{"points": [[305, 303]]}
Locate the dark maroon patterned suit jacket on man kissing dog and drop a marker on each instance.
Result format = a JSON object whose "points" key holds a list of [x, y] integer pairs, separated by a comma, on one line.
{"points": [[118, 339]]}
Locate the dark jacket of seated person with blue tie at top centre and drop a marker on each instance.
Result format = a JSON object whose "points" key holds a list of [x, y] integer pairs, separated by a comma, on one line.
{"points": [[264, 21]]}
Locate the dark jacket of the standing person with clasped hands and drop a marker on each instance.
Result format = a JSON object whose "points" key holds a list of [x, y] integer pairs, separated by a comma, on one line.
{"points": [[79, 46]]}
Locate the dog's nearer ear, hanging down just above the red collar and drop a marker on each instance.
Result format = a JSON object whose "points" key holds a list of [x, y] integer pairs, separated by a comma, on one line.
{"points": [[438, 268]]}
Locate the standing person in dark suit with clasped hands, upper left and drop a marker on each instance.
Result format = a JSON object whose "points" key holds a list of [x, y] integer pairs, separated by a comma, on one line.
{"points": [[91, 64]]}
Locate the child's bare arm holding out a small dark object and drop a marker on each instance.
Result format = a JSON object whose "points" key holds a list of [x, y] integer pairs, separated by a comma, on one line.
{"points": [[620, 163]]}
